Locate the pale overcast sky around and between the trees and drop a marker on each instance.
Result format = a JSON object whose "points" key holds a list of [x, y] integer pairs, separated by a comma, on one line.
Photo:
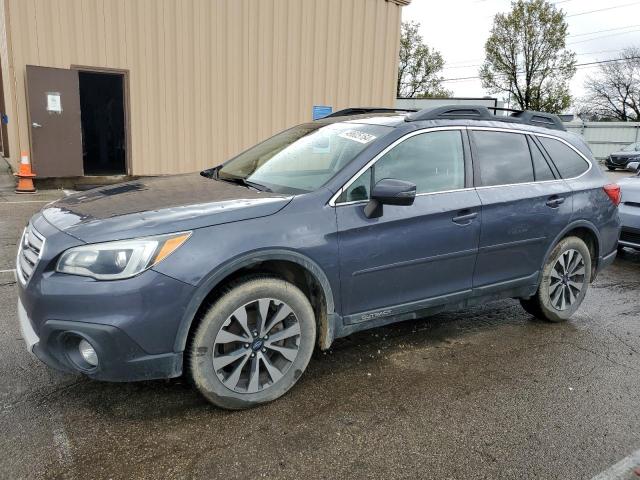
{"points": [[459, 29]]}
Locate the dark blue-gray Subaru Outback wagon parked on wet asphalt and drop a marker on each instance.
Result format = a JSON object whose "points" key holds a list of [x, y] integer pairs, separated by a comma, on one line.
{"points": [[233, 276]]}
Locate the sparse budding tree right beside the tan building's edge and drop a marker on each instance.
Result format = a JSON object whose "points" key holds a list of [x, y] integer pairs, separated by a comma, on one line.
{"points": [[419, 66]]}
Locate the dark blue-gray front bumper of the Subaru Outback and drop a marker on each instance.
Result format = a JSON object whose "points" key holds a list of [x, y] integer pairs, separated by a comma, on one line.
{"points": [[132, 323]]}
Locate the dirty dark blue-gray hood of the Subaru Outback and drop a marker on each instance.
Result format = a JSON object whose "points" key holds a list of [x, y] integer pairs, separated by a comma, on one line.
{"points": [[158, 205]]}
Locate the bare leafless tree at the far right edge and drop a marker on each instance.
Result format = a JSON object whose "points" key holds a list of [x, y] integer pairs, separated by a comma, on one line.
{"points": [[614, 92]]}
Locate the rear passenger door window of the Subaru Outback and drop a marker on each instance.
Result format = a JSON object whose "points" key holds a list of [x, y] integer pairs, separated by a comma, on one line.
{"points": [[503, 158]]}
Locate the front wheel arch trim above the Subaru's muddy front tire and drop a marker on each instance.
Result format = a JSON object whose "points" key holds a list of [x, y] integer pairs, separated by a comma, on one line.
{"points": [[291, 265]]}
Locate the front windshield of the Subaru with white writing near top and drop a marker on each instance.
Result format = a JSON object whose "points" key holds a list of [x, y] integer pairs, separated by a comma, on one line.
{"points": [[301, 159]]}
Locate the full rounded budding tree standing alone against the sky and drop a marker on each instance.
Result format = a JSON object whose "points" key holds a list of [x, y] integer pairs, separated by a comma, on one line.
{"points": [[527, 58]]}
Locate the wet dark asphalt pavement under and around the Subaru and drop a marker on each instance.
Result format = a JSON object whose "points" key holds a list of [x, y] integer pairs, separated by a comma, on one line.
{"points": [[487, 392]]}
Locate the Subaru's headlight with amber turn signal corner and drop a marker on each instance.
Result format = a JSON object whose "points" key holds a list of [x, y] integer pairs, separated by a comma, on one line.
{"points": [[121, 259]]}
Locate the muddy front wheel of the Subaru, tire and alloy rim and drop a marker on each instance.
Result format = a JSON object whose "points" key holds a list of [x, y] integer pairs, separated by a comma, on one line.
{"points": [[245, 336]]}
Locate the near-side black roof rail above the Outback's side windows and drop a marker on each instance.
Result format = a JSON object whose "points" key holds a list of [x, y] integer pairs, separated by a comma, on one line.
{"points": [[480, 112]]}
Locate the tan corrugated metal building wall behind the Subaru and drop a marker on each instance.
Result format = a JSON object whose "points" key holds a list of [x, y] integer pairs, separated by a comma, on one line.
{"points": [[207, 78]]}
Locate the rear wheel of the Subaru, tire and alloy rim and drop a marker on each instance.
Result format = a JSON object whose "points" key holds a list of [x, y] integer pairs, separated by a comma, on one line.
{"points": [[561, 291]]}
